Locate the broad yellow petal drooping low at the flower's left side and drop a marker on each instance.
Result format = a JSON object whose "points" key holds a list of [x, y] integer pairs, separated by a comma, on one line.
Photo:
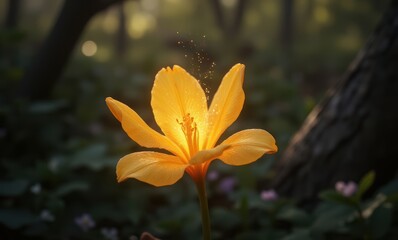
{"points": [[155, 168]]}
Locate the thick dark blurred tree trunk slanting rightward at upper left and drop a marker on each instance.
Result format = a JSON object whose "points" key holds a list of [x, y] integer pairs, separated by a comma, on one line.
{"points": [[46, 67]]}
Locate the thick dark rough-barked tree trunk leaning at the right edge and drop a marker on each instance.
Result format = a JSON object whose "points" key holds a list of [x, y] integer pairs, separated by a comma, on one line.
{"points": [[355, 129]]}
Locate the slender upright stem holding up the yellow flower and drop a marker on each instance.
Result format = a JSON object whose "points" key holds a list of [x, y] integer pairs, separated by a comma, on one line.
{"points": [[204, 207]]}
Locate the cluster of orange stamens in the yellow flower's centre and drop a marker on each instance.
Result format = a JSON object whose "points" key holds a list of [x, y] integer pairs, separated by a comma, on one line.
{"points": [[190, 130]]}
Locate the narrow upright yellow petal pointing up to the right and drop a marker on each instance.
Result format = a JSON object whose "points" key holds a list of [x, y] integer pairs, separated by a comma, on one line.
{"points": [[226, 105]]}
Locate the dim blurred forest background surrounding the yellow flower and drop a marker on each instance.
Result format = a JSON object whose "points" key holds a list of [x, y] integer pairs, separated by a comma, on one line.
{"points": [[59, 60]]}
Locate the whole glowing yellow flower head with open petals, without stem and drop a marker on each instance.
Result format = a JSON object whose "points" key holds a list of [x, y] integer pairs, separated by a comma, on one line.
{"points": [[190, 129]]}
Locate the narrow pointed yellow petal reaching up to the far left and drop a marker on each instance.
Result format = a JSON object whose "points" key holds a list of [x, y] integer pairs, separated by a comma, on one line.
{"points": [[138, 130]]}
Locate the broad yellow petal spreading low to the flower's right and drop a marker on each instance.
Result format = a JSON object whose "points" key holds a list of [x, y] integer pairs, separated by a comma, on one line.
{"points": [[247, 146]]}
